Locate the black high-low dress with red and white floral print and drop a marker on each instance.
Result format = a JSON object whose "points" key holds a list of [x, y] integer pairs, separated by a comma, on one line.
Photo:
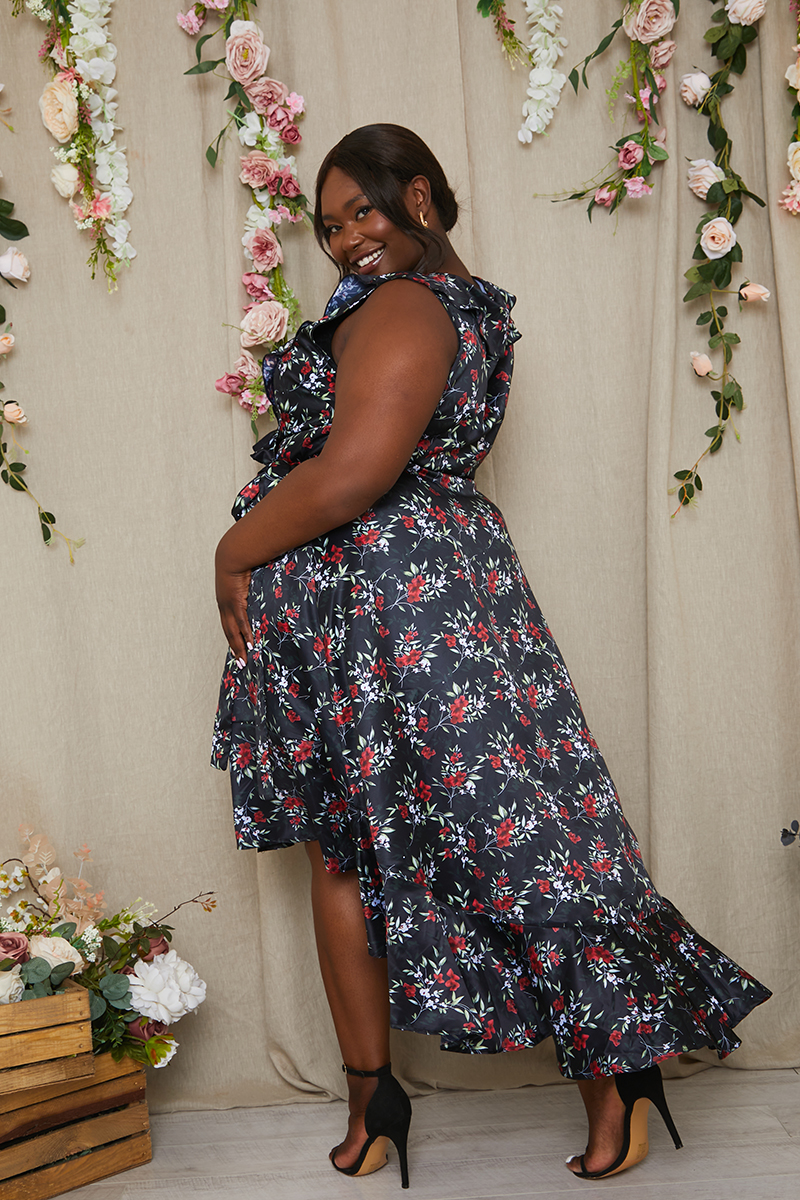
{"points": [[406, 706]]}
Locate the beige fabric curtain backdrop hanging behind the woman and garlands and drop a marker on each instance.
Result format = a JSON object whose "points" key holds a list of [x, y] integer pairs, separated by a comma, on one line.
{"points": [[682, 638]]}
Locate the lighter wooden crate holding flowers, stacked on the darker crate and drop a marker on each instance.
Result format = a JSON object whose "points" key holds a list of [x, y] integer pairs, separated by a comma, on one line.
{"points": [[46, 1041]]}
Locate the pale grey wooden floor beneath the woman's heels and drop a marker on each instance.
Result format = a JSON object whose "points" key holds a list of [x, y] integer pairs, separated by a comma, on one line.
{"points": [[741, 1131]]}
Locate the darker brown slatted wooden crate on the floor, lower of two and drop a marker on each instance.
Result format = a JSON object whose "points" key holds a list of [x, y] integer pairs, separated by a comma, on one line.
{"points": [[62, 1137]]}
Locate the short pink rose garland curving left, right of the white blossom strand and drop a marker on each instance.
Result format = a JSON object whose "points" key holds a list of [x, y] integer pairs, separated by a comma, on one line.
{"points": [[648, 26]]}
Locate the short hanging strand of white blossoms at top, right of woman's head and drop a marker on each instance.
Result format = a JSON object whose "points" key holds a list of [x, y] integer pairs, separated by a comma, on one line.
{"points": [[544, 50]]}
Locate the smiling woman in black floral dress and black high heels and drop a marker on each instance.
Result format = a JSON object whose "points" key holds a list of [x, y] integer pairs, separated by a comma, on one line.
{"points": [[395, 700]]}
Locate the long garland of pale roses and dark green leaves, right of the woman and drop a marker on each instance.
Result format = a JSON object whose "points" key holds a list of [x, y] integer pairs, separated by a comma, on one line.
{"points": [[718, 248]]}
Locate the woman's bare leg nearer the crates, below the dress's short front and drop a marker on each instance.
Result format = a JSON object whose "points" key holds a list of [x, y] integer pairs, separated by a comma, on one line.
{"points": [[357, 987]]}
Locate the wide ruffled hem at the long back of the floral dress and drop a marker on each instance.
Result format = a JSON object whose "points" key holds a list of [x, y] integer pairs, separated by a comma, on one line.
{"points": [[615, 998]]}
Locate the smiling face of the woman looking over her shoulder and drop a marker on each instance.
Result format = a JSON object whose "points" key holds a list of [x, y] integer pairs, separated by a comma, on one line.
{"points": [[360, 238]]}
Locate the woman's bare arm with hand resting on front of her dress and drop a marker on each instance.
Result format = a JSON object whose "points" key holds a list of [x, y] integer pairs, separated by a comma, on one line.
{"points": [[390, 376]]}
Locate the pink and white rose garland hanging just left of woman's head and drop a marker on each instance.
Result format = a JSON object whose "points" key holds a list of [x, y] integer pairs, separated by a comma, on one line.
{"points": [[266, 116]]}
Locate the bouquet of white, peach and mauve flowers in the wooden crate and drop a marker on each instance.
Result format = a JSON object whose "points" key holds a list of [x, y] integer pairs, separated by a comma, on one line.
{"points": [[55, 929]]}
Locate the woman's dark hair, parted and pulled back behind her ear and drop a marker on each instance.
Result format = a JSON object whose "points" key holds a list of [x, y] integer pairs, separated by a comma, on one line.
{"points": [[383, 160]]}
